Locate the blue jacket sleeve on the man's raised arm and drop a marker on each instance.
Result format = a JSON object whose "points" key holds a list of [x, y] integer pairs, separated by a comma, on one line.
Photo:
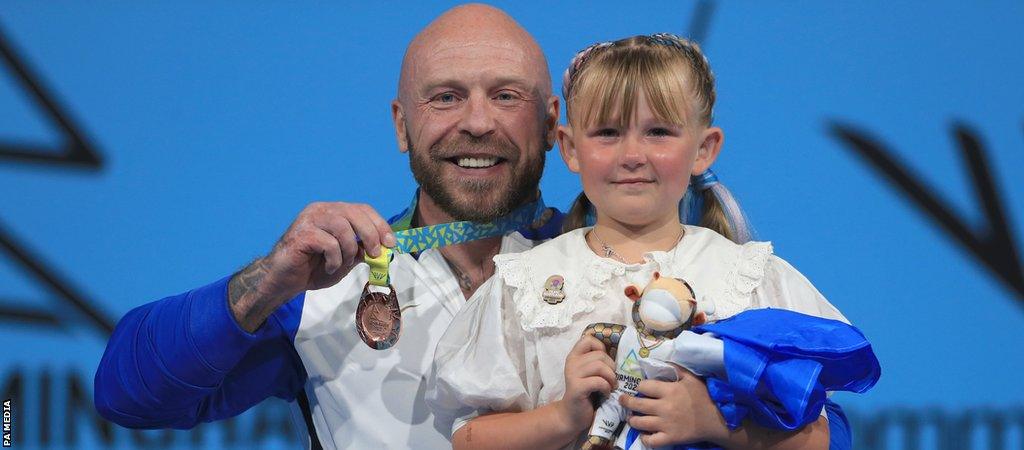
{"points": [[184, 360]]}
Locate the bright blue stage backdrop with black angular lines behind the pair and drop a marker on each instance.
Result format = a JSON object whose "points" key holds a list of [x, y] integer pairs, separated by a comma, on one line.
{"points": [[202, 130]]}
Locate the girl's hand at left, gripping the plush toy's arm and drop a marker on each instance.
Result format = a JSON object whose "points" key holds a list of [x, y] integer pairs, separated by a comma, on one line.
{"points": [[588, 370]]}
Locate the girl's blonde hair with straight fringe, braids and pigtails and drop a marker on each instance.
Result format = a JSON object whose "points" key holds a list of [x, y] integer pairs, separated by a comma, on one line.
{"points": [[604, 83]]}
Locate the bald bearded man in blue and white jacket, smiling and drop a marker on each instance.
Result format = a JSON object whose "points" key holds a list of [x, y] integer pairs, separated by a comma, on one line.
{"points": [[477, 114]]}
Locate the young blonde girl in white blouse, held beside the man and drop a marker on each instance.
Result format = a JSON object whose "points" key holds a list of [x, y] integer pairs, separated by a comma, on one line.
{"points": [[639, 135]]}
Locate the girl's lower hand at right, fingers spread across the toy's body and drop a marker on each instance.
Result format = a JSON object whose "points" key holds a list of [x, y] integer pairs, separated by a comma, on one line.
{"points": [[679, 413]]}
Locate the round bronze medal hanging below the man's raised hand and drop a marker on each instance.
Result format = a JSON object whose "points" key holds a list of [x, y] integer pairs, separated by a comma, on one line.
{"points": [[378, 318]]}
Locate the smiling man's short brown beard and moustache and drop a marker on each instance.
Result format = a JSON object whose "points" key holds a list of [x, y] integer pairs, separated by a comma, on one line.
{"points": [[477, 200]]}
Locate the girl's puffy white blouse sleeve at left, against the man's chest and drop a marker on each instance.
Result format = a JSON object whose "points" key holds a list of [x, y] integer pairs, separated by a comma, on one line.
{"points": [[484, 362]]}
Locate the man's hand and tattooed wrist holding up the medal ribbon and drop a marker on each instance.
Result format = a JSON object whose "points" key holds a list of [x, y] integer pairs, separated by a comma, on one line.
{"points": [[324, 243]]}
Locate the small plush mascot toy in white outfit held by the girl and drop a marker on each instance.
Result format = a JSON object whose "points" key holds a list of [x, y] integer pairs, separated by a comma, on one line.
{"points": [[662, 311]]}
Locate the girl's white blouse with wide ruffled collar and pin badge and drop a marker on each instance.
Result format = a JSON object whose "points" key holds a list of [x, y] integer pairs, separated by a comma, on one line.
{"points": [[506, 351]]}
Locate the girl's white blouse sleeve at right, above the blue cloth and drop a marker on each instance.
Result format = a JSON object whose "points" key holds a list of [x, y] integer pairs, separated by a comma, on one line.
{"points": [[786, 289]]}
